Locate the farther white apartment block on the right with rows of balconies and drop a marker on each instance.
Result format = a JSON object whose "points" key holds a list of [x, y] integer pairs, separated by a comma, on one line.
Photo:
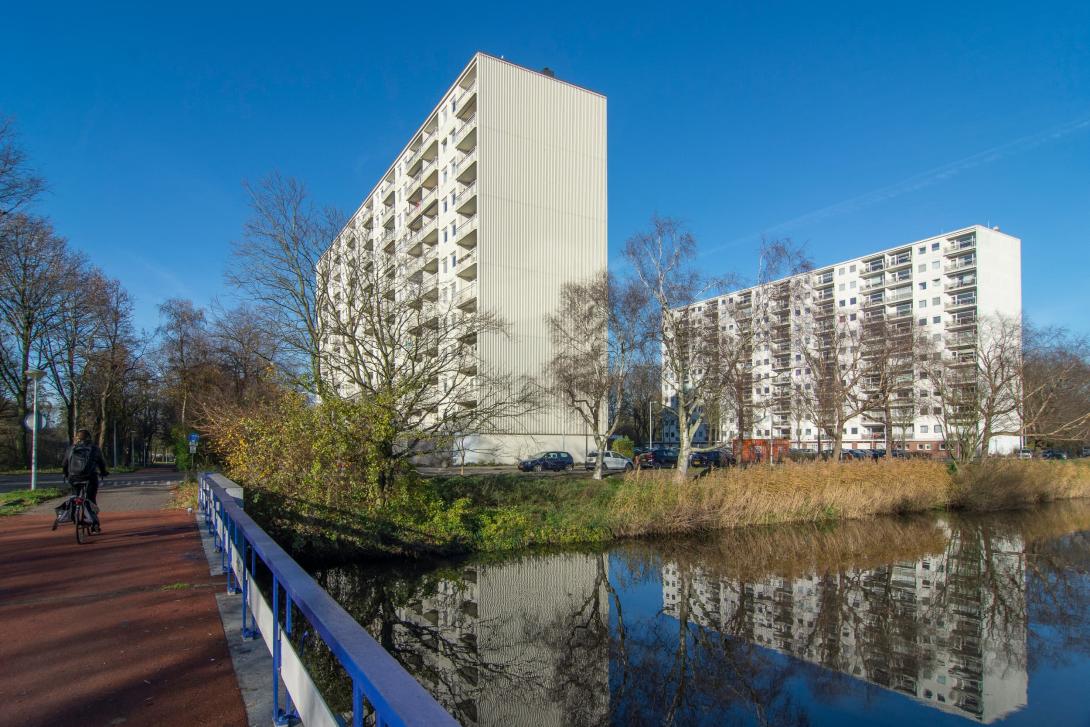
{"points": [[941, 288]]}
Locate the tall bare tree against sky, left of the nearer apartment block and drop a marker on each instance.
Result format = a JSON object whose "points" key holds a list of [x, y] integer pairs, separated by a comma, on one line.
{"points": [[277, 266]]}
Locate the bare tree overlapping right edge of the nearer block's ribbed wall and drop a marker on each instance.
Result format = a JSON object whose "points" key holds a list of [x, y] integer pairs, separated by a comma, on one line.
{"points": [[598, 335]]}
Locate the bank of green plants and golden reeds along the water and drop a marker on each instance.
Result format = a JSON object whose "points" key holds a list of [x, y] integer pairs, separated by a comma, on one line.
{"points": [[483, 514]]}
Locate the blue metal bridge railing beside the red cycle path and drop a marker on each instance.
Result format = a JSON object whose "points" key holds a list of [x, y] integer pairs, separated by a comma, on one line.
{"points": [[395, 696]]}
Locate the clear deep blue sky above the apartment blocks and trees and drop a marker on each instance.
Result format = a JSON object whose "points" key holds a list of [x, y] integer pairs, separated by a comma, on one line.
{"points": [[847, 127]]}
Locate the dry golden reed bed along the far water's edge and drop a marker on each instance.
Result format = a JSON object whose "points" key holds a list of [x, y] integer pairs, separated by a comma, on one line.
{"points": [[652, 503]]}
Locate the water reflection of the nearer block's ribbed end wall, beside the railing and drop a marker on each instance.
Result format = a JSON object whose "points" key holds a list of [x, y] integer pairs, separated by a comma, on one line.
{"points": [[503, 631]]}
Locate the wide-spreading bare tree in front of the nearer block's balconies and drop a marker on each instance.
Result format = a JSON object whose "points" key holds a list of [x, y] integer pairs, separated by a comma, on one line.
{"points": [[394, 341]]}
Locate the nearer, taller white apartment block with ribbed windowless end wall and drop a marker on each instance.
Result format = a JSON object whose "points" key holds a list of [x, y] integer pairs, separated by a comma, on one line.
{"points": [[502, 195]]}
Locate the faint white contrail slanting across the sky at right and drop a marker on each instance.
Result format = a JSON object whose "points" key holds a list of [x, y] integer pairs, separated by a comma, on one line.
{"points": [[919, 181]]}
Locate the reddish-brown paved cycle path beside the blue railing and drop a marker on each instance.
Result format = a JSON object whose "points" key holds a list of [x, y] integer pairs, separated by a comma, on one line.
{"points": [[123, 631]]}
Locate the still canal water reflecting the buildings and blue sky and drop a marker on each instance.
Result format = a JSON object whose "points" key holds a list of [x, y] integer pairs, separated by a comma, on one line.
{"points": [[942, 620]]}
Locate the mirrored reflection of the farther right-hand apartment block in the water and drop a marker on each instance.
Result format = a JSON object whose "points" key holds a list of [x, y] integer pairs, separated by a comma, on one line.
{"points": [[932, 631]]}
